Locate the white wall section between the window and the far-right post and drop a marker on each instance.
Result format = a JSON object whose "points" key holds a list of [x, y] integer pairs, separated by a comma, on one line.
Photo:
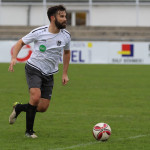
{"points": [[114, 15]]}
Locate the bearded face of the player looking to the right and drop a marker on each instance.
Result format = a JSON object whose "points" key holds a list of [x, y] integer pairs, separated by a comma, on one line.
{"points": [[60, 20]]}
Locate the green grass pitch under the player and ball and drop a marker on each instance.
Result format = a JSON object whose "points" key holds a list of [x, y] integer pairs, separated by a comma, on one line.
{"points": [[116, 94]]}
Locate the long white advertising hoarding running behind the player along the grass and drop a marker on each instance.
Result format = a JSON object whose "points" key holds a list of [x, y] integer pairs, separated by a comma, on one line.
{"points": [[90, 52]]}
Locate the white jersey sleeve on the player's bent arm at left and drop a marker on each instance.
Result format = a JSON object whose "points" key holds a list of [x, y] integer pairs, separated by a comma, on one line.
{"points": [[30, 37]]}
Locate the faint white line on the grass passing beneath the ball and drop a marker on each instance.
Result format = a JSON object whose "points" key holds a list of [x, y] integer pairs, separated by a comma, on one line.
{"points": [[96, 142]]}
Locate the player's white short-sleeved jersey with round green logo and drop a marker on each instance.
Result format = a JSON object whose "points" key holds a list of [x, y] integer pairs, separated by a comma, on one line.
{"points": [[48, 48]]}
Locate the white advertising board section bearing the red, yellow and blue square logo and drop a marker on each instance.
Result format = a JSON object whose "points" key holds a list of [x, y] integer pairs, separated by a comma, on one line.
{"points": [[129, 53]]}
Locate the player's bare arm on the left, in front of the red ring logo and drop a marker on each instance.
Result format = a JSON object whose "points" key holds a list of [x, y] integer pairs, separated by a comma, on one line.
{"points": [[16, 50]]}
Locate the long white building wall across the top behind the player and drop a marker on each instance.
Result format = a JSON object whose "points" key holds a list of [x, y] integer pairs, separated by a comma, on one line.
{"points": [[101, 15]]}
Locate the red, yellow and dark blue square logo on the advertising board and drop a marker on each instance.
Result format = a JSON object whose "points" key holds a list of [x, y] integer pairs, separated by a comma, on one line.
{"points": [[127, 50]]}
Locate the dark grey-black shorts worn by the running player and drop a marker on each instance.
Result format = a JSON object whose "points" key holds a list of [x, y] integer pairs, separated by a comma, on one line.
{"points": [[35, 79]]}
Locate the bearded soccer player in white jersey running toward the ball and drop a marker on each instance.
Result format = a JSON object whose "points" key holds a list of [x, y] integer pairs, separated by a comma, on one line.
{"points": [[50, 43]]}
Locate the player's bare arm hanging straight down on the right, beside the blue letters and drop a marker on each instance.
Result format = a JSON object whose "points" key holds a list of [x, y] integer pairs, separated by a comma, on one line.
{"points": [[66, 60]]}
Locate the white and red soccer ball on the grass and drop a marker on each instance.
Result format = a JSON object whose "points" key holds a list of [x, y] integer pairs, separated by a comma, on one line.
{"points": [[101, 131]]}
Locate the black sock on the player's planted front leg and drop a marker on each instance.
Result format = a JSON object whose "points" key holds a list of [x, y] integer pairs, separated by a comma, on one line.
{"points": [[30, 116]]}
